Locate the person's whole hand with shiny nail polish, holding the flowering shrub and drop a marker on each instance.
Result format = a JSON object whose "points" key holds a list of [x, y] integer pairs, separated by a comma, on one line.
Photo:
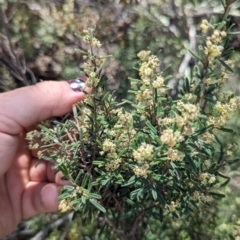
{"points": [[26, 190]]}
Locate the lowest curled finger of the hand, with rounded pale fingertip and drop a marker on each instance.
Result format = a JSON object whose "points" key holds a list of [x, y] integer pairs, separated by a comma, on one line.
{"points": [[39, 198]]}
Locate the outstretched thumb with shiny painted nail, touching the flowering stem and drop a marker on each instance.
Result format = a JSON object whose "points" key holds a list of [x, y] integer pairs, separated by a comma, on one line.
{"points": [[23, 107]]}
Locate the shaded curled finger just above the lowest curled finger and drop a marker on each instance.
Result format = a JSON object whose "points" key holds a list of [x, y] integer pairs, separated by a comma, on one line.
{"points": [[44, 171]]}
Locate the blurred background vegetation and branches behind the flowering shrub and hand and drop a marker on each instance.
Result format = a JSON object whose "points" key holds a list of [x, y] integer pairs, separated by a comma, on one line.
{"points": [[37, 42]]}
